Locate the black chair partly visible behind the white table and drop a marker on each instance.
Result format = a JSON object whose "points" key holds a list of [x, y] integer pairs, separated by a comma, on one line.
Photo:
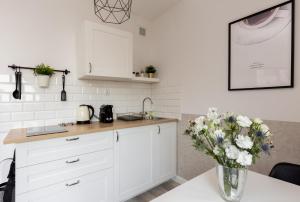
{"points": [[287, 172]]}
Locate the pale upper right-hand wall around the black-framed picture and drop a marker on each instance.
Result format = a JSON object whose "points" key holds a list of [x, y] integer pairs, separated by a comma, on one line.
{"points": [[192, 51]]}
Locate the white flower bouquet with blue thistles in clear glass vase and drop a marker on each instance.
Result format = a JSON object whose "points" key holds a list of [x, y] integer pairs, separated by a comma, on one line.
{"points": [[235, 142]]}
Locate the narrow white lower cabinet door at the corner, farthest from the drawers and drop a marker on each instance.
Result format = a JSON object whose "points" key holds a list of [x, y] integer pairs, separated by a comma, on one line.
{"points": [[165, 145]]}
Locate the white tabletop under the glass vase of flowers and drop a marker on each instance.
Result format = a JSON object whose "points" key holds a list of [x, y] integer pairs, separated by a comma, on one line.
{"points": [[259, 188]]}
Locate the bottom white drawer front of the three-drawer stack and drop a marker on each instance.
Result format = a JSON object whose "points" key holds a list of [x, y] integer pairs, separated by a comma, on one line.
{"points": [[96, 187]]}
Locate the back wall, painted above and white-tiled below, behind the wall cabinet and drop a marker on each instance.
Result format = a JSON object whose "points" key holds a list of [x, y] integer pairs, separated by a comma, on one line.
{"points": [[35, 31]]}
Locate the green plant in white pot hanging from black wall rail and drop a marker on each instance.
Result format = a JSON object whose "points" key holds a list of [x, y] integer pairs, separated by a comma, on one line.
{"points": [[43, 73]]}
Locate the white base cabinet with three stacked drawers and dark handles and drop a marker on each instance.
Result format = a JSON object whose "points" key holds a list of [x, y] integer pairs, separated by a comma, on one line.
{"points": [[70, 169]]}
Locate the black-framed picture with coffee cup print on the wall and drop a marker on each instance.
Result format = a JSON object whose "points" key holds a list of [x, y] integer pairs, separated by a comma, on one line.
{"points": [[261, 49]]}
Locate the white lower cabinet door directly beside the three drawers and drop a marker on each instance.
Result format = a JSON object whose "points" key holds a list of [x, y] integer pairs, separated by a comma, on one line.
{"points": [[134, 162]]}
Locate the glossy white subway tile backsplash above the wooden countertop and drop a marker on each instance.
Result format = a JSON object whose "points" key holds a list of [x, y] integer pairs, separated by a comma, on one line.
{"points": [[41, 106]]}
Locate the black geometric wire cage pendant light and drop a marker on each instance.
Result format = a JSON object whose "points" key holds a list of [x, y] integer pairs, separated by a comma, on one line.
{"points": [[113, 11]]}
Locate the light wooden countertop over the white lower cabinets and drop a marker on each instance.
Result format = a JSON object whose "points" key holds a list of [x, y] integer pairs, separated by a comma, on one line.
{"points": [[17, 136]]}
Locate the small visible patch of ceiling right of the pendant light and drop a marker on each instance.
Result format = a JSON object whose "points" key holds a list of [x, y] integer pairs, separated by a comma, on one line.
{"points": [[150, 9]]}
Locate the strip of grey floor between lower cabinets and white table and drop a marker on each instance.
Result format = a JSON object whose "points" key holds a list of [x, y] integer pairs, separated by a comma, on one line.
{"points": [[155, 192]]}
